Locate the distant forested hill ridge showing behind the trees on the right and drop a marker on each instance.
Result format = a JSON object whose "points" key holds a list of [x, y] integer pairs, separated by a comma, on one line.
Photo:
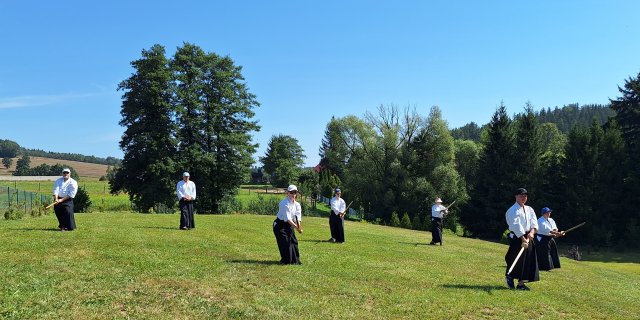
{"points": [[564, 118]]}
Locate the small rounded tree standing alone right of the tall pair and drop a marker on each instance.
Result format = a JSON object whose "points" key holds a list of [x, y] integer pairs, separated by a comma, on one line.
{"points": [[283, 159]]}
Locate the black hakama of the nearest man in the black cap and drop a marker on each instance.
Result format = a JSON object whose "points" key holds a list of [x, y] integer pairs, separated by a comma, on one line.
{"points": [[526, 268]]}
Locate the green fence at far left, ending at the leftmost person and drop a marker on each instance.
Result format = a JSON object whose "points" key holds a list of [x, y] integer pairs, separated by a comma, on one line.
{"points": [[20, 200]]}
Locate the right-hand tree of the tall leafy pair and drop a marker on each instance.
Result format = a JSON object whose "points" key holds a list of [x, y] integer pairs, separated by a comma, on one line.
{"points": [[215, 111]]}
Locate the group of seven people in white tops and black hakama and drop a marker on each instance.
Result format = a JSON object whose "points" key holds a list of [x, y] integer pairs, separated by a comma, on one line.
{"points": [[533, 236]]}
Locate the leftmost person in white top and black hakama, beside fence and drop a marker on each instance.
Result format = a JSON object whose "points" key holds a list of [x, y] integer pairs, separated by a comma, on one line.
{"points": [[64, 190]]}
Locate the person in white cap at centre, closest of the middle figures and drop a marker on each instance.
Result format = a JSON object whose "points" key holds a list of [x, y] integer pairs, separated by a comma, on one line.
{"points": [[289, 217]]}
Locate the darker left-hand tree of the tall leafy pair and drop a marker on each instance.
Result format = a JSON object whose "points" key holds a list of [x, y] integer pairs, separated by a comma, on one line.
{"points": [[148, 142]]}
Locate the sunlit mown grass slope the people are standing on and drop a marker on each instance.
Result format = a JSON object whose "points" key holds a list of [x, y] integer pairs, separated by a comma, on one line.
{"points": [[125, 265]]}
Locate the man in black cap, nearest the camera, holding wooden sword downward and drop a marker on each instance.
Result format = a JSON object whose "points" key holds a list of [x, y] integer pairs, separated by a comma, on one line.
{"points": [[523, 226]]}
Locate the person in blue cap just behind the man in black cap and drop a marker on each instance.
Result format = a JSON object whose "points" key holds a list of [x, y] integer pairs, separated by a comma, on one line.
{"points": [[545, 241]]}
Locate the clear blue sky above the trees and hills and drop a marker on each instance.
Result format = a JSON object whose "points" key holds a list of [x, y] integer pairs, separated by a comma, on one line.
{"points": [[61, 61]]}
